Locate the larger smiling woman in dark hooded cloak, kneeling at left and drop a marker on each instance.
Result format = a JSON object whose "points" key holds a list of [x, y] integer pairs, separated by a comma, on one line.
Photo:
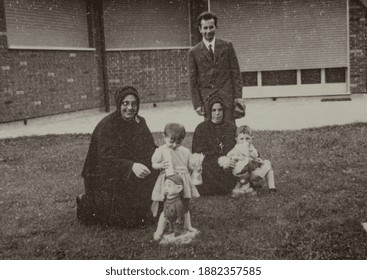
{"points": [[117, 172]]}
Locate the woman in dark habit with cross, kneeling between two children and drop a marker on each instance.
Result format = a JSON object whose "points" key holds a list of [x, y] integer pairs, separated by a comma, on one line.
{"points": [[215, 138]]}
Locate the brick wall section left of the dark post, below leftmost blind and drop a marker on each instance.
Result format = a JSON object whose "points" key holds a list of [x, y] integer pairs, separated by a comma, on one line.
{"points": [[38, 83]]}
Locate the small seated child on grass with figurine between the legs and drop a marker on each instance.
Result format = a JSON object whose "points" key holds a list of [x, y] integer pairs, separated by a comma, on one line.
{"points": [[250, 162]]}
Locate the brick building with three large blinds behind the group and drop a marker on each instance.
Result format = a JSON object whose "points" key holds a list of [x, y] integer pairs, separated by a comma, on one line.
{"points": [[59, 56]]}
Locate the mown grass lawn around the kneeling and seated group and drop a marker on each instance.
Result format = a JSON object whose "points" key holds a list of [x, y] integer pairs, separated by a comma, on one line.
{"points": [[316, 214]]}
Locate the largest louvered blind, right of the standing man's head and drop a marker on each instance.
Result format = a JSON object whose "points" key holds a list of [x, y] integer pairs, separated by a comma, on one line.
{"points": [[281, 35]]}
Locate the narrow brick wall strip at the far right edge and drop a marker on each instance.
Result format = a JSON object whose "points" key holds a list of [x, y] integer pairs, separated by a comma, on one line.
{"points": [[357, 41]]}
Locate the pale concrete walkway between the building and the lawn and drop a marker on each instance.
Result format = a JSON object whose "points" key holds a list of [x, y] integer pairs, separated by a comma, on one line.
{"points": [[262, 114]]}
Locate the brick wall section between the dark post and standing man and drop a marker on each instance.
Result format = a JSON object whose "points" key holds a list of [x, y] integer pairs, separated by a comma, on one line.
{"points": [[159, 75]]}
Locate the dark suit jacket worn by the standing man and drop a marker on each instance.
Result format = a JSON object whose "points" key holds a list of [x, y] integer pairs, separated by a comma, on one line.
{"points": [[221, 77]]}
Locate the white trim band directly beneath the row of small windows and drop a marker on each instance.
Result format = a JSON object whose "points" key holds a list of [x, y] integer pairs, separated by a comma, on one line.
{"points": [[295, 90]]}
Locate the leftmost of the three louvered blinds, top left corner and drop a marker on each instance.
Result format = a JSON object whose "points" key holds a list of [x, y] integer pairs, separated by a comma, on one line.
{"points": [[47, 23]]}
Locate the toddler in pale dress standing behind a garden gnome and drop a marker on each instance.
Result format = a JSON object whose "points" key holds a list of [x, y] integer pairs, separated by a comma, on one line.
{"points": [[172, 158]]}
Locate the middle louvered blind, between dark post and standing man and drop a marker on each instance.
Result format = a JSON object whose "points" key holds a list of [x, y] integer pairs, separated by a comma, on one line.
{"points": [[146, 23]]}
